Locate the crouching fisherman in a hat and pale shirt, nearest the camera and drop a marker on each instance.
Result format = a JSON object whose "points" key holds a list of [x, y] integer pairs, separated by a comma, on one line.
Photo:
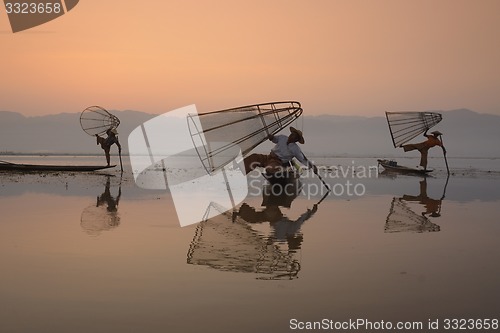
{"points": [[281, 155]]}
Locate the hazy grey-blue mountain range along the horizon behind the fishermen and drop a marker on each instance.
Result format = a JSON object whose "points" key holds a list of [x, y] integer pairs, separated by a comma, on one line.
{"points": [[466, 134]]}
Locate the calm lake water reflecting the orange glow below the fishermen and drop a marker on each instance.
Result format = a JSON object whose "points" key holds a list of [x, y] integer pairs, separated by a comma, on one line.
{"points": [[95, 253]]}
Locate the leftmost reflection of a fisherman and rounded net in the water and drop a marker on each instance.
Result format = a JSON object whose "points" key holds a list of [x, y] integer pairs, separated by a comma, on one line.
{"points": [[103, 215]]}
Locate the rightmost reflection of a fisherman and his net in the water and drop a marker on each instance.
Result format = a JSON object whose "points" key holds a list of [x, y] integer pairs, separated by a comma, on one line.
{"points": [[403, 218]]}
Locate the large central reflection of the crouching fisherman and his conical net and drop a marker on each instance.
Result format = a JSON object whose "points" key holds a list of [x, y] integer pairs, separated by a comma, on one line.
{"points": [[228, 241]]}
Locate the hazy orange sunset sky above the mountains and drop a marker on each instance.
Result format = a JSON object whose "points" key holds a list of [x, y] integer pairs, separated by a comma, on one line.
{"points": [[335, 57]]}
